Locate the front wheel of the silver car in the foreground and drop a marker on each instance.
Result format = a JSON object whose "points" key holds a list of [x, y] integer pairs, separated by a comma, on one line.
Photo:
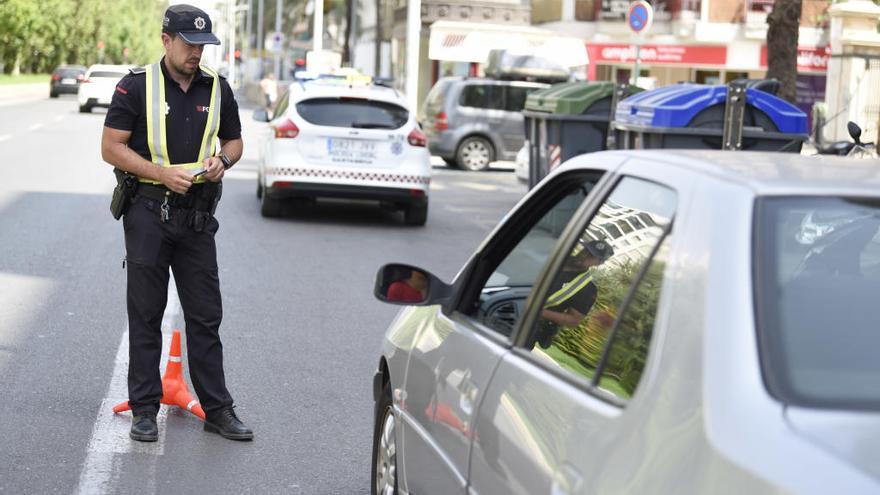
{"points": [[384, 479]]}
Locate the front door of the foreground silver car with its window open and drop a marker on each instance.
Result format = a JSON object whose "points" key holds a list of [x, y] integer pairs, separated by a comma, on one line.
{"points": [[458, 348]]}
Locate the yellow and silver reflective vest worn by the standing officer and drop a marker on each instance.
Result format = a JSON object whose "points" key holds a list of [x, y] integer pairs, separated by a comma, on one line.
{"points": [[157, 140]]}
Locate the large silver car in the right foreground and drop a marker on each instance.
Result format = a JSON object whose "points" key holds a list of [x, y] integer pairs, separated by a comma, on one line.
{"points": [[646, 322]]}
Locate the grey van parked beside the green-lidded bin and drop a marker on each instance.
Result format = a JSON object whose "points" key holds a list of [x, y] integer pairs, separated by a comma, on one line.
{"points": [[471, 122]]}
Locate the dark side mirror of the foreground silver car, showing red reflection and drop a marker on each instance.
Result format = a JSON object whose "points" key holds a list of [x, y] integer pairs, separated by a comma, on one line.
{"points": [[408, 285]]}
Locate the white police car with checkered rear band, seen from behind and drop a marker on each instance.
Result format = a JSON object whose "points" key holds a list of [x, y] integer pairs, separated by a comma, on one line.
{"points": [[344, 138]]}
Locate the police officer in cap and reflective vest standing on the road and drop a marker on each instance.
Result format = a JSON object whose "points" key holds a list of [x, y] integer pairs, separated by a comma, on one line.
{"points": [[162, 127]]}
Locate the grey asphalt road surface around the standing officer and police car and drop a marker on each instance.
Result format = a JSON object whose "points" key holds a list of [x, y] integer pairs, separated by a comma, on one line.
{"points": [[301, 328]]}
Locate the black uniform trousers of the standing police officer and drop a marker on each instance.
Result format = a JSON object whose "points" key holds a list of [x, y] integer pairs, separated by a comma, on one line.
{"points": [[152, 247]]}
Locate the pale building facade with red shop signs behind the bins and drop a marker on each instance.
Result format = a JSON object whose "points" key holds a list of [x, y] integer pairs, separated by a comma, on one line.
{"points": [[704, 41]]}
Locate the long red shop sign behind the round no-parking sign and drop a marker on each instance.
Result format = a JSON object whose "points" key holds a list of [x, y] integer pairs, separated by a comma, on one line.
{"points": [[659, 54]]}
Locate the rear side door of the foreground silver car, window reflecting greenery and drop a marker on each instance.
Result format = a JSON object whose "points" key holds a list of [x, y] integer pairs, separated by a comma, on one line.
{"points": [[557, 416]]}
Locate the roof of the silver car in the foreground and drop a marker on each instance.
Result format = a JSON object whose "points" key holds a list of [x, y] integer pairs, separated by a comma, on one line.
{"points": [[768, 173]]}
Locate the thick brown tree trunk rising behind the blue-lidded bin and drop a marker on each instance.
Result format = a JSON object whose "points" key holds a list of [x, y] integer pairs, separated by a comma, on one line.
{"points": [[782, 41]]}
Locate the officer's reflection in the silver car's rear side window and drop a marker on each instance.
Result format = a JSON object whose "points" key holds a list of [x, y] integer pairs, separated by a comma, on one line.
{"points": [[573, 291]]}
